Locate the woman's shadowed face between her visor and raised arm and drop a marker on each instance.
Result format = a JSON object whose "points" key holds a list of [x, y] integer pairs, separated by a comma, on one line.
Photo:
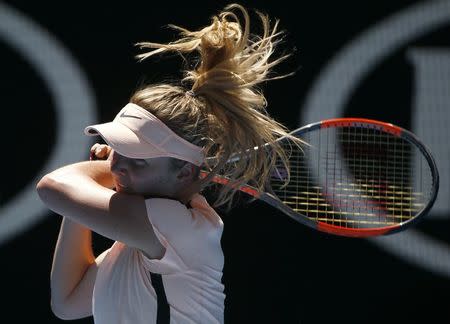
{"points": [[150, 177]]}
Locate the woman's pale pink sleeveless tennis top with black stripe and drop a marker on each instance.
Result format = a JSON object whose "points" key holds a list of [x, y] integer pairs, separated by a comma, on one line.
{"points": [[191, 269]]}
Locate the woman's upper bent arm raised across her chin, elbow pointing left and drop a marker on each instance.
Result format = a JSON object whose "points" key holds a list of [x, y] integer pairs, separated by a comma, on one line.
{"points": [[81, 193]]}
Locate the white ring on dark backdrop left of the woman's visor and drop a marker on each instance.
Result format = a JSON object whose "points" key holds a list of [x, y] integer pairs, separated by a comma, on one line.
{"points": [[72, 98]]}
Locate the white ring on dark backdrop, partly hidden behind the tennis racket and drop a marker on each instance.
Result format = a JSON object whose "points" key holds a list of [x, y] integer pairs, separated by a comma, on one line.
{"points": [[339, 79]]}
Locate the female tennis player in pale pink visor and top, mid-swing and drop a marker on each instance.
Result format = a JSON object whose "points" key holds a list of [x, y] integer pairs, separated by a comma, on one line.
{"points": [[166, 262]]}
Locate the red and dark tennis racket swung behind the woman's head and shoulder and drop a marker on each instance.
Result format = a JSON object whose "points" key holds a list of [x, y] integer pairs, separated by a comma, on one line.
{"points": [[356, 177]]}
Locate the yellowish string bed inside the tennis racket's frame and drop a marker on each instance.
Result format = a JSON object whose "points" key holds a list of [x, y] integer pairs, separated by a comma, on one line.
{"points": [[355, 177]]}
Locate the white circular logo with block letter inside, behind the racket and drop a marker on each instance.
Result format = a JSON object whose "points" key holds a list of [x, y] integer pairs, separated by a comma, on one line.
{"points": [[341, 77]]}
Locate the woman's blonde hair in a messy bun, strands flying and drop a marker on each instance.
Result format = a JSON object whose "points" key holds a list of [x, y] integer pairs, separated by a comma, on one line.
{"points": [[223, 111]]}
